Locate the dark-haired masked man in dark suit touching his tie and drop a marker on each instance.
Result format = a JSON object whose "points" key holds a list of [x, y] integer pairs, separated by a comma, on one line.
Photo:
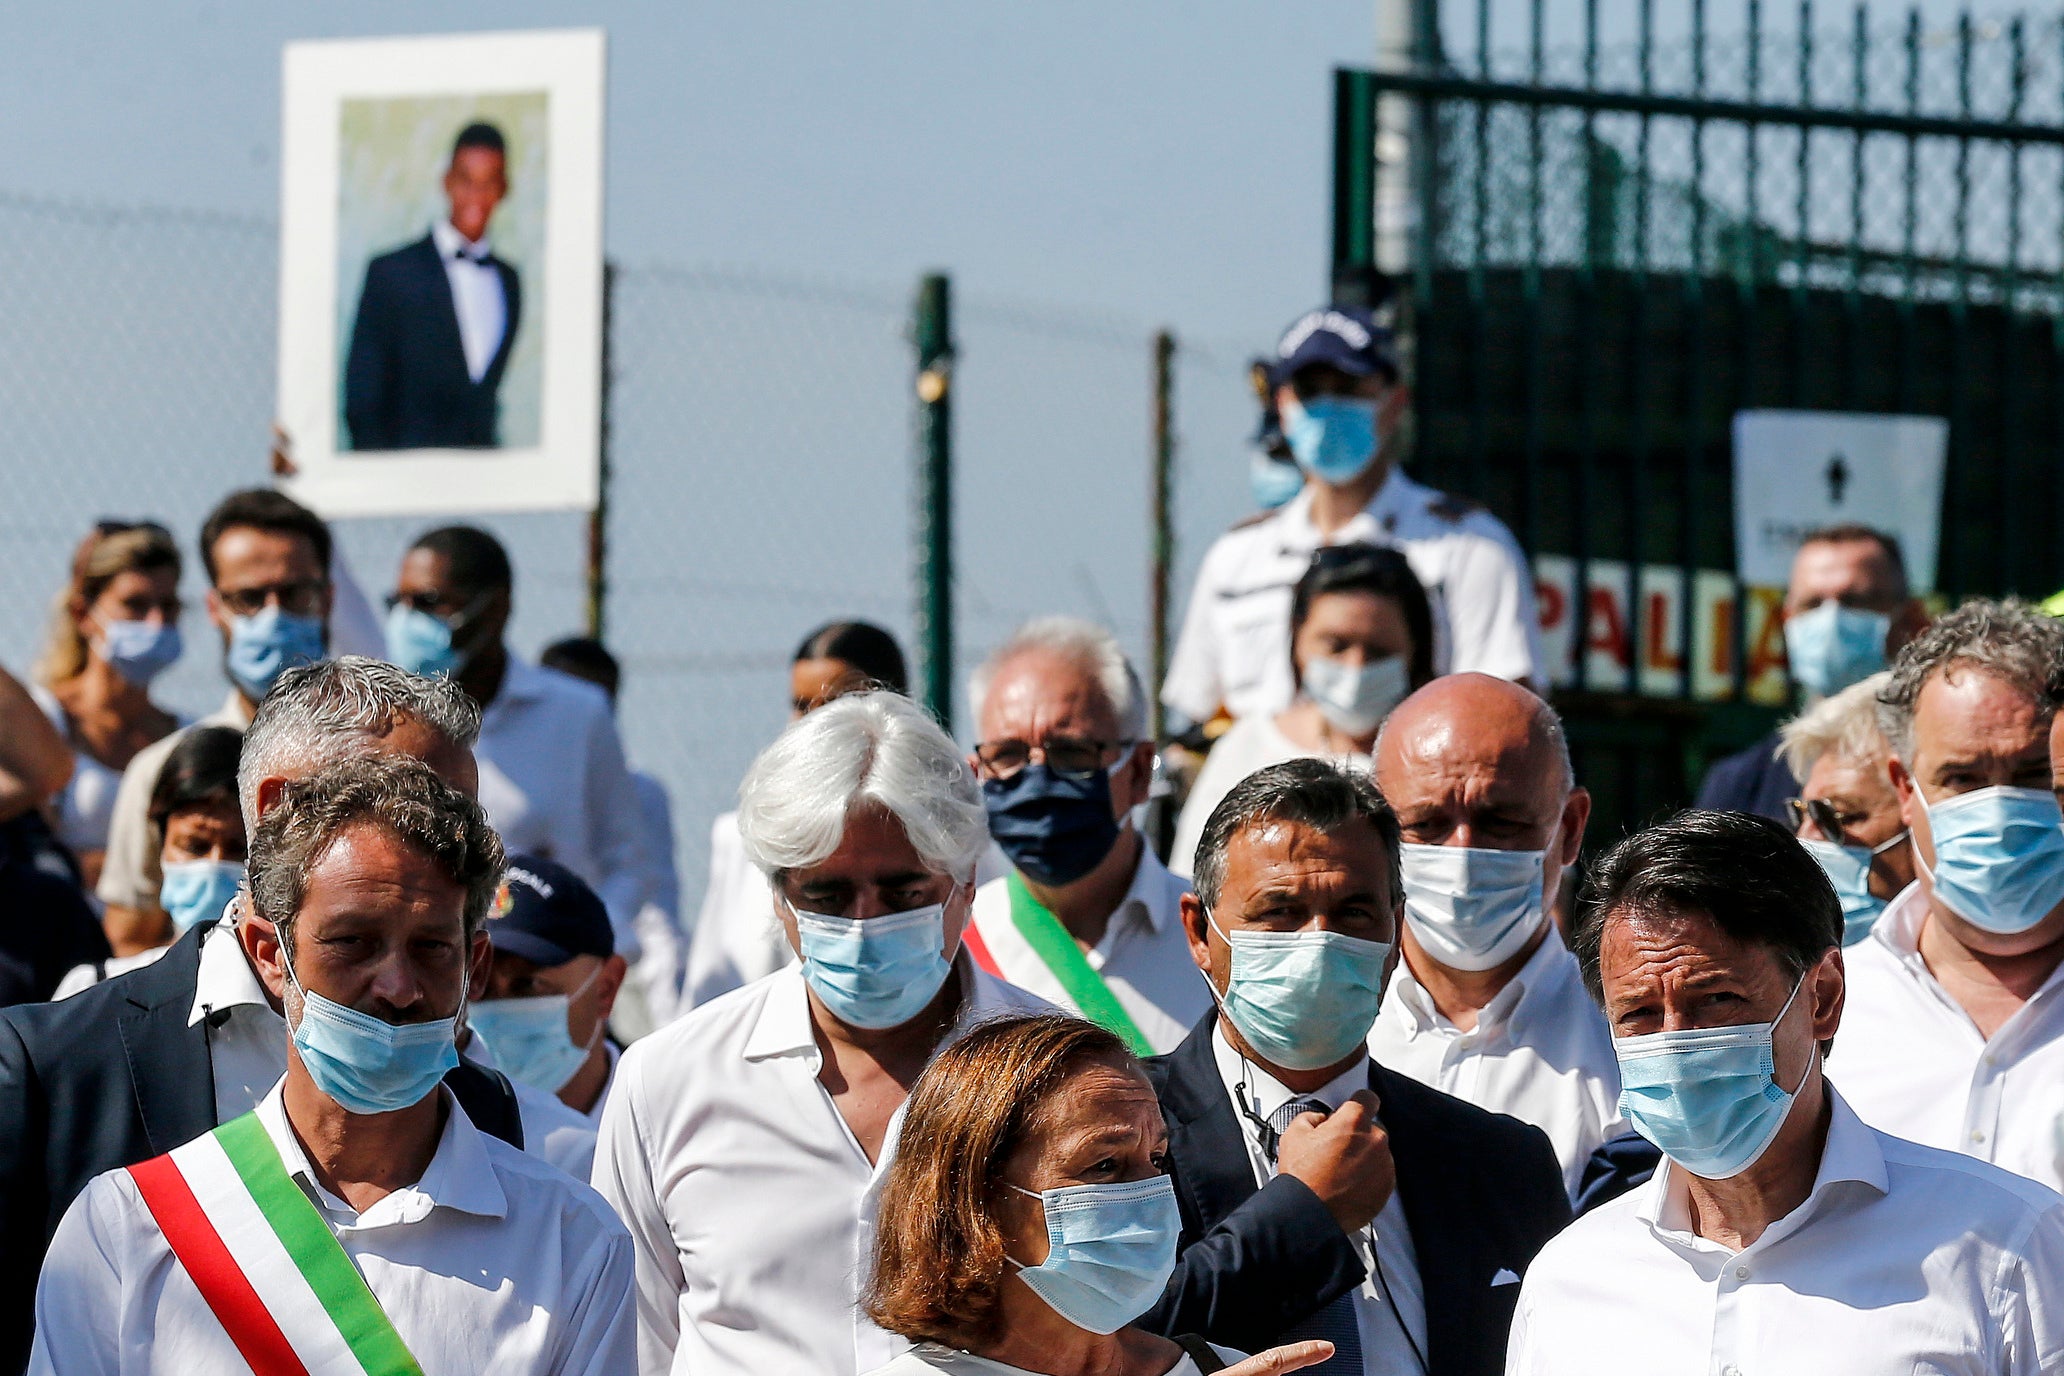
{"points": [[1326, 1198]]}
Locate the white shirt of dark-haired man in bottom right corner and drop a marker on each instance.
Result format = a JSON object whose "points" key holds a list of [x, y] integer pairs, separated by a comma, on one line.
{"points": [[1902, 1259]]}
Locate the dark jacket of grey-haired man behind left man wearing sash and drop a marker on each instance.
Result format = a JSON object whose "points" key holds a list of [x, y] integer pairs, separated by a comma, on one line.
{"points": [[110, 1078]]}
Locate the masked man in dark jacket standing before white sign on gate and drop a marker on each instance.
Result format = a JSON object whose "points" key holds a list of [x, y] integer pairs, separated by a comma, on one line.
{"points": [[1848, 612]]}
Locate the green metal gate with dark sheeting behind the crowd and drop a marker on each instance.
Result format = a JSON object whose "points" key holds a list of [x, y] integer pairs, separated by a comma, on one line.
{"points": [[1613, 251]]}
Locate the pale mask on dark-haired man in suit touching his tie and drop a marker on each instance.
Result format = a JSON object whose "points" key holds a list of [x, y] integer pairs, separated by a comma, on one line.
{"points": [[1303, 1002]]}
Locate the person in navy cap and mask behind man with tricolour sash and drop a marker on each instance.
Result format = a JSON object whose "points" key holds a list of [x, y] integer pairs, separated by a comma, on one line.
{"points": [[556, 979]]}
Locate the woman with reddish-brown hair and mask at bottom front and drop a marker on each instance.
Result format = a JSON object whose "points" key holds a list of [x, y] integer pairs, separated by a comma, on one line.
{"points": [[1027, 1218]]}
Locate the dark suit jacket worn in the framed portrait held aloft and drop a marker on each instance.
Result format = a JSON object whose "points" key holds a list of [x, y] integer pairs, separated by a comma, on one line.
{"points": [[406, 379]]}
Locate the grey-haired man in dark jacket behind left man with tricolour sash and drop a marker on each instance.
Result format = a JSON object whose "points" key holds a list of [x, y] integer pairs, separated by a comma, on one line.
{"points": [[154, 1059]]}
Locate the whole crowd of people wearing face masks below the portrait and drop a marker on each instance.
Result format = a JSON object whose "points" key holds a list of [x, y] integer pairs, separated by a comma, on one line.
{"points": [[354, 1028]]}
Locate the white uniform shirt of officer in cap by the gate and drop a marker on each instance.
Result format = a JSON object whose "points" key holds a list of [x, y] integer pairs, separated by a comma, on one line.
{"points": [[1235, 645]]}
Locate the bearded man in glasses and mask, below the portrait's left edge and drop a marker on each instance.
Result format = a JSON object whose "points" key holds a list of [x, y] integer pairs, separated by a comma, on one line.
{"points": [[269, 595]]}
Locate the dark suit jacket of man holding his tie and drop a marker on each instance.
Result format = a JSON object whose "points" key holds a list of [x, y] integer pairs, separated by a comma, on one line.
{"points": [[1481, 1195]]}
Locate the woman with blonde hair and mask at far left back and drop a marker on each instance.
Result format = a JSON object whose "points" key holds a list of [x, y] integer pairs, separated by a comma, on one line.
{"points": [[115, 628]]}
